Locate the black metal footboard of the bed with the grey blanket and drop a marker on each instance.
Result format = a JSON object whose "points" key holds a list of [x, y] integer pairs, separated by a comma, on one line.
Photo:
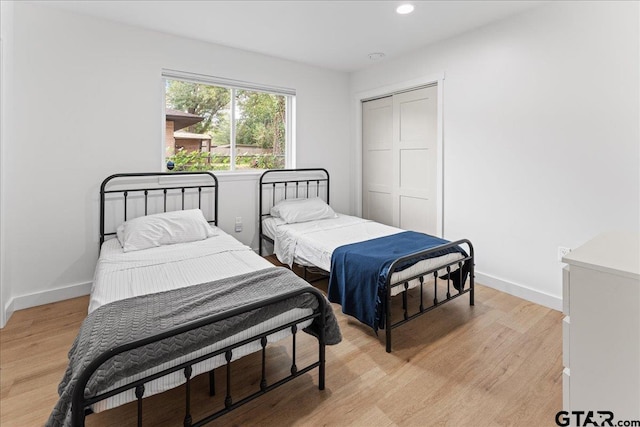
{"points": [[81, 404]]}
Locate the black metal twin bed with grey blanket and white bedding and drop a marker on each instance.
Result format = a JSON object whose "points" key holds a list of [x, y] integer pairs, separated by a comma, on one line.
{"points": [[174, 296]]}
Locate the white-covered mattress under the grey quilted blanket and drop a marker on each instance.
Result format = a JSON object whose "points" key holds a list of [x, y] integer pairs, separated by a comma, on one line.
{"points": [[122, 275]]}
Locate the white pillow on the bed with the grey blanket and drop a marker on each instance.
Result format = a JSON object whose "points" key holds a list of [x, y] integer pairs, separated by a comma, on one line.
{"points": [[165, 228]]}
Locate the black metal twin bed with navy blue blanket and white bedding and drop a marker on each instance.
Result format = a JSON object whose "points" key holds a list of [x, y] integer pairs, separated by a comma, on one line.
{"points": [[311, 238]]}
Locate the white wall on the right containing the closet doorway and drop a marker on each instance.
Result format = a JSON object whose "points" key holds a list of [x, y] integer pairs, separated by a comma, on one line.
{"points": [[541, 135]]}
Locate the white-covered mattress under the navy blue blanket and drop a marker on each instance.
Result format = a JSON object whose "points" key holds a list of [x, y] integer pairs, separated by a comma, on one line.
{"points": [[312, 243]]}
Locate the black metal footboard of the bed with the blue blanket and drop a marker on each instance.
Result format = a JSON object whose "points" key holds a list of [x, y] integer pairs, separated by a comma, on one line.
{"points": [[460, 267]]}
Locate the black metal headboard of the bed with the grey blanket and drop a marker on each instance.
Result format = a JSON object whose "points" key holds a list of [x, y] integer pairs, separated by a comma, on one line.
{"points": [[130, 195]]}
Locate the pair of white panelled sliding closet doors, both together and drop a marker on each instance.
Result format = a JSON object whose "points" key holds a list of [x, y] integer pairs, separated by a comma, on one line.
{"points": [[399, 160]]}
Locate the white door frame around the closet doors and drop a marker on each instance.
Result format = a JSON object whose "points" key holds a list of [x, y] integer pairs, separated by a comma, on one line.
{"points": [[389, 90]]}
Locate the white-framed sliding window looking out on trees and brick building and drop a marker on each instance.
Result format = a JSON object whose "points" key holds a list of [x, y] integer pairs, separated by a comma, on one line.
{"points": [[215, 124]]}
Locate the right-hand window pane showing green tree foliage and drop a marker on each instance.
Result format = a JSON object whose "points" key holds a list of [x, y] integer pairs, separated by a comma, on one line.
{"points": [[260, 130]]}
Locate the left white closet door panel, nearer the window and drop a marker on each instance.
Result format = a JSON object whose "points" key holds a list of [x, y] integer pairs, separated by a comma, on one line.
{"points": [[377, 171]]}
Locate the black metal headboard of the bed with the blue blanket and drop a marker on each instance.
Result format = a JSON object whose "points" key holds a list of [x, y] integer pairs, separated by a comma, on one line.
{"points": [[280, 184]]}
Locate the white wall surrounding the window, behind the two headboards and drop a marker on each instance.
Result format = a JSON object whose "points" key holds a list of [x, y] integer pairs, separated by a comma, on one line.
{"points": [[88, 104]]}
